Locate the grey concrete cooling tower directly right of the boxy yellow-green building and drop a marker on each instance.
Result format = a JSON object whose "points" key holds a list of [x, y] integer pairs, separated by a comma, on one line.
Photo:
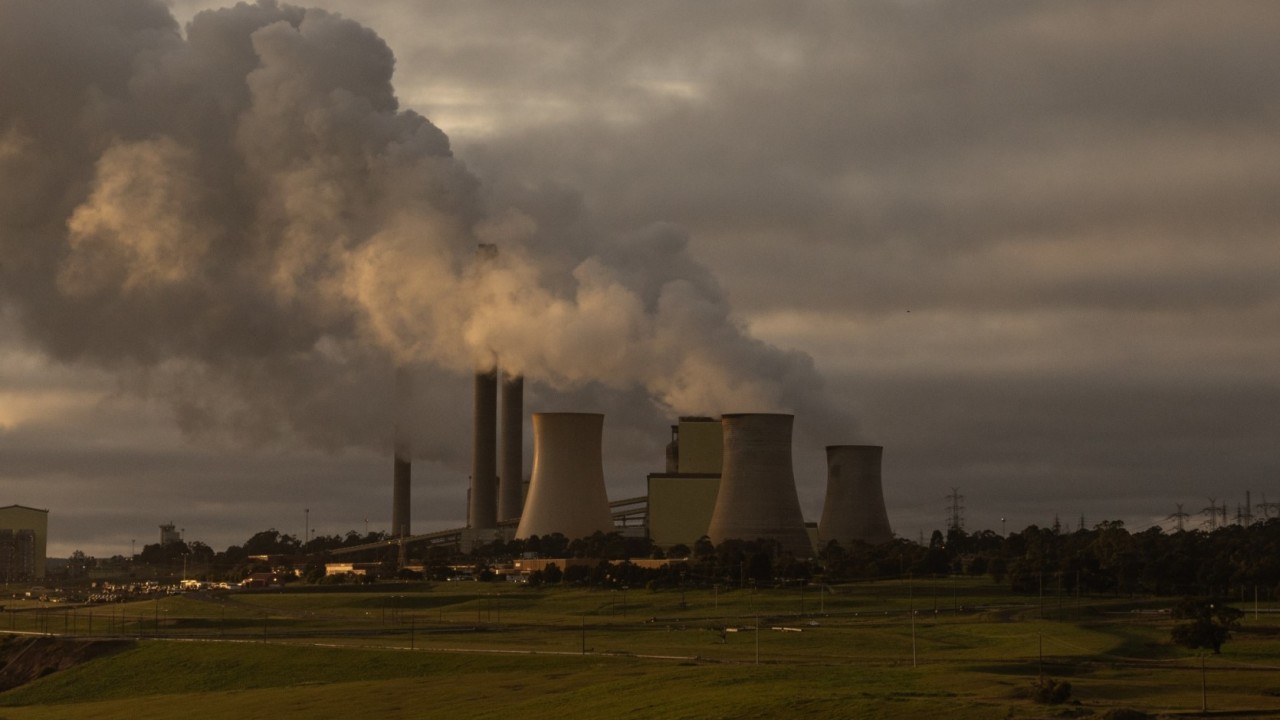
{"points": [[757, 495]]}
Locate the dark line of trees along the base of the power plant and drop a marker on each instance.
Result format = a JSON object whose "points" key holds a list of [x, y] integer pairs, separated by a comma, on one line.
{"points": [[1229, 562]]}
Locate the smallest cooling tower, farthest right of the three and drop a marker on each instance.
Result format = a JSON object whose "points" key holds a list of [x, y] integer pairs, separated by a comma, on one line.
{"points": [[854, 509]]}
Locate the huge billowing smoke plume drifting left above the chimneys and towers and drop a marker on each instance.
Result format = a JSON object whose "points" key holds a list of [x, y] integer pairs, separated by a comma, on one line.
{"points": [[237, 217]]}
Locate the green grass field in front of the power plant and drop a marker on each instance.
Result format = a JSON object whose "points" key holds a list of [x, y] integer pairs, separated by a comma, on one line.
{"points": [[952, 649]]}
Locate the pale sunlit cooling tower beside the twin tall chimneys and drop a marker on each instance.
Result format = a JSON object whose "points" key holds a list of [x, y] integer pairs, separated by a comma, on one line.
{"points": [[566, 493]]}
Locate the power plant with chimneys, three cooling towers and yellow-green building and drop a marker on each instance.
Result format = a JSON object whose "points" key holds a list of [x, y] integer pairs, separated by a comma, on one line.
{"points": [[728, 479]]}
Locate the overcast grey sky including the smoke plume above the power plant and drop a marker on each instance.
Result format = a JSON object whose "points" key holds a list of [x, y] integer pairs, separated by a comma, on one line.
{"points": [[1028, 248]]}
